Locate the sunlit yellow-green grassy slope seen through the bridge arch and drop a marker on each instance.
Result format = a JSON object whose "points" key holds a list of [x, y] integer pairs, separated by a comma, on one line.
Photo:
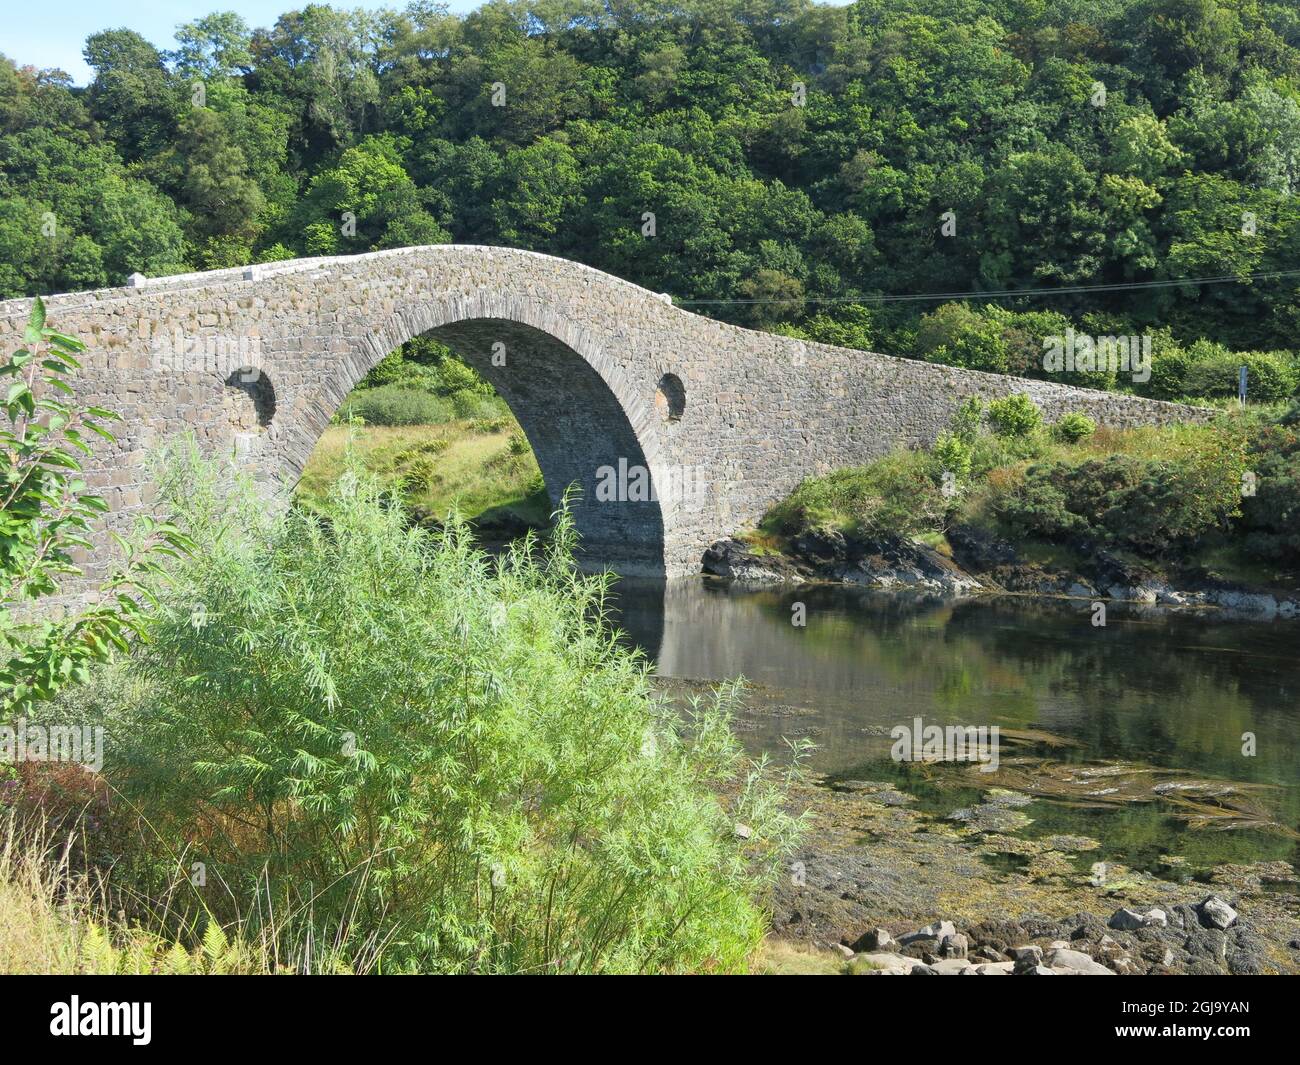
{"points": [[479, 467]]}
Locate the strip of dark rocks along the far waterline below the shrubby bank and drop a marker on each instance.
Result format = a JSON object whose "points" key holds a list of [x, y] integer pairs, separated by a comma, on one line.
{"points": [[982, 565]]}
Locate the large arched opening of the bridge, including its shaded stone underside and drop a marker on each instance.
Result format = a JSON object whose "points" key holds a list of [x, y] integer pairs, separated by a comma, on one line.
{"points": [[547, 404]]}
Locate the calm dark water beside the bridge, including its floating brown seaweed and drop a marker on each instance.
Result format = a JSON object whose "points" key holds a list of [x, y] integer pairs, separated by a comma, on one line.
{"points": [[1171, 696]]}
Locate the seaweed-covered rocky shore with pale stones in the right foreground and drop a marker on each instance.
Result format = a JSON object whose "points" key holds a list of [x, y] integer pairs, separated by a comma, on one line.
{"points": [[882, 889]]}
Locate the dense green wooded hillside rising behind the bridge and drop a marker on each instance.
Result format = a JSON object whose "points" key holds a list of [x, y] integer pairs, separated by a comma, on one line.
{"points": [[777, 163]]}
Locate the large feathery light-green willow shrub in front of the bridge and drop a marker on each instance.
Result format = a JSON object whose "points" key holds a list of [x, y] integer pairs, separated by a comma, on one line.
{"points": [[436, 752]]}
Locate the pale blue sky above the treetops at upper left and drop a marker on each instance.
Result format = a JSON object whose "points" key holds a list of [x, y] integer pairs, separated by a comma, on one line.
{"points": [[38, 36]]}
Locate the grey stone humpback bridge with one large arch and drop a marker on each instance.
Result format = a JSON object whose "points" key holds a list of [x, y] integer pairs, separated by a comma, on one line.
{"points": [[606, 379]]}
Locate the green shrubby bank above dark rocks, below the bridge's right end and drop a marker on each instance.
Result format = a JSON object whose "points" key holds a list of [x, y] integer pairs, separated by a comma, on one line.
{"points": [[1217, 501]]}
